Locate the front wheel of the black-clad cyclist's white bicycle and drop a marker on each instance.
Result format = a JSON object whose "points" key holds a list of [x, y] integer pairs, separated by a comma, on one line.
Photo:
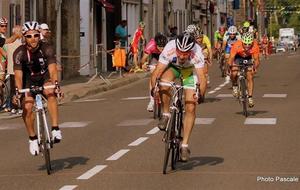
{"points": [[45, 146]]}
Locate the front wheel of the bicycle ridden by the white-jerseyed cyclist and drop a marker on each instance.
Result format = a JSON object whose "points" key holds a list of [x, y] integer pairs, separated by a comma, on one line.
{"points": [[169, 136]]}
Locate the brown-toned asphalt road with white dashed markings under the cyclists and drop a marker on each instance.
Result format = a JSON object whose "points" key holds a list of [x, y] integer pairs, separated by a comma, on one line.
{"points": [[110, 141]]}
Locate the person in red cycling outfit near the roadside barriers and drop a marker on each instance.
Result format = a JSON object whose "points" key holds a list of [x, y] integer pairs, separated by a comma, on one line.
{"points": [[139, 34]]}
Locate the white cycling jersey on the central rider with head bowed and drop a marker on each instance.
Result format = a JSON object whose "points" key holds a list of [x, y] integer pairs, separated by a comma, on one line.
{"points": [[168, 56]]}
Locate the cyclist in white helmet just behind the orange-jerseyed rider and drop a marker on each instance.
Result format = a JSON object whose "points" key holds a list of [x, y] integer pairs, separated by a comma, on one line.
{"points": [[231, 36]]}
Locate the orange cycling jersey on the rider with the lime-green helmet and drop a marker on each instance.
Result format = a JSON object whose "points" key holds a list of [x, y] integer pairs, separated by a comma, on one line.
{"points": [[238, 50]]}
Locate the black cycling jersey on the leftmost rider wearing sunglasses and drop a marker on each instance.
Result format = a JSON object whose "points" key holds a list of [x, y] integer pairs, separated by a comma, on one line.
{"points": [[34, 65]]}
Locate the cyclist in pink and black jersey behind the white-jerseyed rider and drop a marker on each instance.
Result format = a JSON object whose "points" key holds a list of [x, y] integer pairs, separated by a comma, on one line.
{"points": [[153, 49]]}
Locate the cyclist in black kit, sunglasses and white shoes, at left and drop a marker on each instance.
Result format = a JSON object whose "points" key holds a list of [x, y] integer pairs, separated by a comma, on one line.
{"points": [[35, 64]]}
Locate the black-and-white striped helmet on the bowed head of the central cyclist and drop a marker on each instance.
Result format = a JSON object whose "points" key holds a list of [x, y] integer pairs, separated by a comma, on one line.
{"points": [[185, 42]]}
